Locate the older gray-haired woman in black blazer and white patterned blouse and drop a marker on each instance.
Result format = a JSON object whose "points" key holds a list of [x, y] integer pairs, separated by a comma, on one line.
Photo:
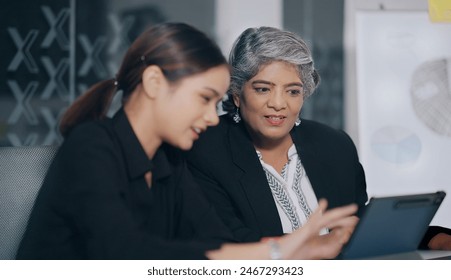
{"points": [[262, 167]]}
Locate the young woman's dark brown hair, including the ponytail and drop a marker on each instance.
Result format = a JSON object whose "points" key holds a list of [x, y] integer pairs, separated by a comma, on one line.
{"points": [[179, 49]]}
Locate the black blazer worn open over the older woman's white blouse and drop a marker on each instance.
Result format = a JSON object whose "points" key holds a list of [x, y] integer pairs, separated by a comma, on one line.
{"points": [[226, 166]]}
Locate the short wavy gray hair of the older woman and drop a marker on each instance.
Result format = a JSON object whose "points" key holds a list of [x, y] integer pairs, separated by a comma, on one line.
{"points": [[256, 47]]}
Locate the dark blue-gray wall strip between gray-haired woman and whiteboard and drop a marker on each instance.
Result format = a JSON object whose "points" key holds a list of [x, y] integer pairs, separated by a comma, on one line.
{"points": [[320, 23]]}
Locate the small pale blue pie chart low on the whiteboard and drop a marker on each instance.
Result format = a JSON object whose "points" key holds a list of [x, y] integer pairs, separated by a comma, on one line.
{"points": [[396, 144]]}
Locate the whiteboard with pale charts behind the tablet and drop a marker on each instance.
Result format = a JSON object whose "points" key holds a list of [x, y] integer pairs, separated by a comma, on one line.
{"points": [[403, 75]]}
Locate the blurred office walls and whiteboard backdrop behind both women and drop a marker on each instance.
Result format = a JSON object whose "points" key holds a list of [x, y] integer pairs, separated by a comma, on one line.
{"points": [[385, 68]]}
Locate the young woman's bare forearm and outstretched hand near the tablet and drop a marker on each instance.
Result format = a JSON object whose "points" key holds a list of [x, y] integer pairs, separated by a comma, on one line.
{"points": [[304, 243]]}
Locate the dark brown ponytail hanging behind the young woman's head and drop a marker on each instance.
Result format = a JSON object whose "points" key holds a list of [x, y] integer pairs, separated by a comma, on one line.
{"points": [[92, 105]]}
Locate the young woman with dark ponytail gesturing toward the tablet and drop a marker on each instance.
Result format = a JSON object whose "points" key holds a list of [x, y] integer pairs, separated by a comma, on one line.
{"points": [[119, 188]]}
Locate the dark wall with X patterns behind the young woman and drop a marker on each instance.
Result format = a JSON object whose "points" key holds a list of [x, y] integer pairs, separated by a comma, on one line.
{"points": [[51, 51]]}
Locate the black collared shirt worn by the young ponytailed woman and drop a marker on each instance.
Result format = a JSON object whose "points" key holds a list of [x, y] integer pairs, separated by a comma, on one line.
{"points": [[95, 203]]}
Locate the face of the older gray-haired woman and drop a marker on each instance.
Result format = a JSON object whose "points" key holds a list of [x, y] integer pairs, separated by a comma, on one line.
{"points": [[270, 102]]}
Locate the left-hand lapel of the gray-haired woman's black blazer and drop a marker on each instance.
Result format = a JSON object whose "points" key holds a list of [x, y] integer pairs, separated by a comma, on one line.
{"points": [[253, 182]]}
